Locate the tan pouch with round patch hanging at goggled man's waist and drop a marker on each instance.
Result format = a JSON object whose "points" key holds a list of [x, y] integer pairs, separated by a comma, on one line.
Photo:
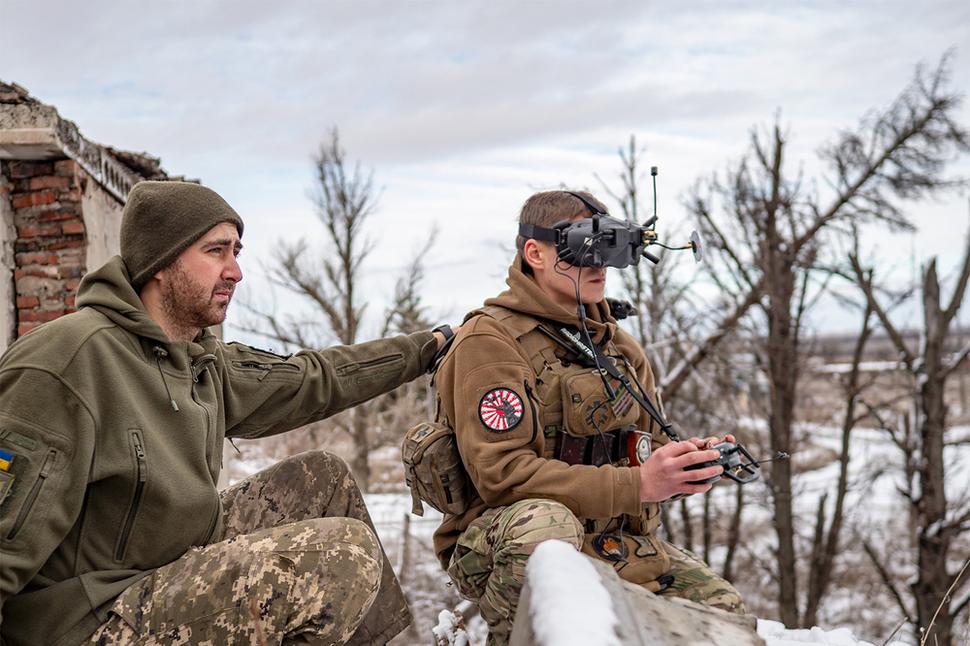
{"points": [[635, 558]]}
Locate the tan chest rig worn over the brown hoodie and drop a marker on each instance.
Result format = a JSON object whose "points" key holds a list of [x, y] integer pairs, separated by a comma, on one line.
{"points": [[581, 423]]}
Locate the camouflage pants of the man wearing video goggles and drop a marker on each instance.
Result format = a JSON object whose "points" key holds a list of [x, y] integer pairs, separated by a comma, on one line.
{"points": [[488, 564]]}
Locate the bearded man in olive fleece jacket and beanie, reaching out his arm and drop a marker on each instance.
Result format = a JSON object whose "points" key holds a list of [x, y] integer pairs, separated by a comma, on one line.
{"points": [[112, 419]]}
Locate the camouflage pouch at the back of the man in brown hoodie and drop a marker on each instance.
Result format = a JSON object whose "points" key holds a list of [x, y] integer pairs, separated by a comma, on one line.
{"points": [[433, 469]]}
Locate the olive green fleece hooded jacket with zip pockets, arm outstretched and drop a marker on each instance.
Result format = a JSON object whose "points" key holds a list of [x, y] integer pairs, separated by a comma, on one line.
{"points": [[116, 435]]}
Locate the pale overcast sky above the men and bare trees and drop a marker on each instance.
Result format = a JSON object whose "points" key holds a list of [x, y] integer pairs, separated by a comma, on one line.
{"points": [[463, 109]]}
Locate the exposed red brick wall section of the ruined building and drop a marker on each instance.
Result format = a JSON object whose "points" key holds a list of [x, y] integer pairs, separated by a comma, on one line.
{"points": [[49, 250]]}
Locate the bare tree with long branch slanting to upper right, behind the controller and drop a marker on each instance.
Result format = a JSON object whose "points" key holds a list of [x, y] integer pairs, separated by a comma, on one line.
{"points": [[768, 235]]}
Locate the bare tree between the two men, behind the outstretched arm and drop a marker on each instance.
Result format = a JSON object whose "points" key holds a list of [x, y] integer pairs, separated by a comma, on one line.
{"points": [[329, 281]]}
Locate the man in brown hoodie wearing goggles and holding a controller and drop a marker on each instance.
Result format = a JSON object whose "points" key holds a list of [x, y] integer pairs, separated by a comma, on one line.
{"points": [[545, 444]]}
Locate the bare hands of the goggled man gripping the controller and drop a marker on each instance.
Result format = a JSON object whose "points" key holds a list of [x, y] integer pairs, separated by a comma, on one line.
{"points": [[663, 474]]}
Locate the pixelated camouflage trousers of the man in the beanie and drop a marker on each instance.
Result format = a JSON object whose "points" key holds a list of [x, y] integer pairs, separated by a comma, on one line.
{"points": [[298, 562]]}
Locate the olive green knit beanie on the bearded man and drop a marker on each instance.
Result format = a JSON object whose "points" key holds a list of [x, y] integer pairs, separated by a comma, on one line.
{"points": [[163, 219]]}
